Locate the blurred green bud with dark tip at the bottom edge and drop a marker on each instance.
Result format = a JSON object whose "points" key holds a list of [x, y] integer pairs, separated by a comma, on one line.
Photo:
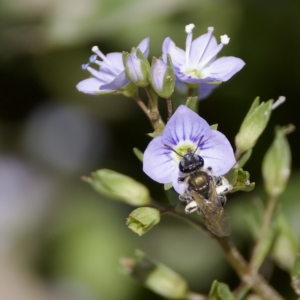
{"points": [[155, 276]]}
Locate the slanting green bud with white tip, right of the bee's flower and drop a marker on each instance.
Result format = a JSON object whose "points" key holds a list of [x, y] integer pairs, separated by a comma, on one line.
{"points": [[253, 125]]}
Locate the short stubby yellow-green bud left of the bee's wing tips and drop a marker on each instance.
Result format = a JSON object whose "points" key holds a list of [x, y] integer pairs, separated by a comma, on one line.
{"points": [[142, 219]]}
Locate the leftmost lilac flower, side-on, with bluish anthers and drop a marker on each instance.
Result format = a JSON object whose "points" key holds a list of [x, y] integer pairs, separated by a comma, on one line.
{"points": [[111, 76]]}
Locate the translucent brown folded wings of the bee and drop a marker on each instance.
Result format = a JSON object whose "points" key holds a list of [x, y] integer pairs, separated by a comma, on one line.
{"points": [[214, 214]]}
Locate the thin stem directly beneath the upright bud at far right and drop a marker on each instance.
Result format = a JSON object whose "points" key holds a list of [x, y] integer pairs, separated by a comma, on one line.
{"points": [[254, 265]]}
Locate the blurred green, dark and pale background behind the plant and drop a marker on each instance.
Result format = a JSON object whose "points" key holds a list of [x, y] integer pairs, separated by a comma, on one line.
{"points": [[58, 238]]}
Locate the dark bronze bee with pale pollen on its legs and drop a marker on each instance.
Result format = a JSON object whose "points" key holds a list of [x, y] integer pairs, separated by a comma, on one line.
{"points": [[205, 193]]}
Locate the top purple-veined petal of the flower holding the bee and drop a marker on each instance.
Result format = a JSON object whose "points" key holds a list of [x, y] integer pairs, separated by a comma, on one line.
{"points": [[185, 125]]}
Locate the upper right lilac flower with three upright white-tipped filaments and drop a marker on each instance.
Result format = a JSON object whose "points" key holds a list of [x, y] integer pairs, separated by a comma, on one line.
{"points": [[198, 63]]}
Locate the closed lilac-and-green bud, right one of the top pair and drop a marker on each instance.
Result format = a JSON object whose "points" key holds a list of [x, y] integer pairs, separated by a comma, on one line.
{"points": [[162, 77]]}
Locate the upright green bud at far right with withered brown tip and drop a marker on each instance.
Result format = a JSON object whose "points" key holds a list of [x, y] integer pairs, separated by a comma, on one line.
{"points": [[276, 165]]}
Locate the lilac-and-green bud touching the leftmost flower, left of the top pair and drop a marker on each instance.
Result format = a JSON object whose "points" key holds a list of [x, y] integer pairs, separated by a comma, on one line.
{"points": [[136, 69]]}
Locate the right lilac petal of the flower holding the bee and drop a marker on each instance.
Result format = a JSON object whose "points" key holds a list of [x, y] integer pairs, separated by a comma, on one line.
{"points": [[218, 154]]}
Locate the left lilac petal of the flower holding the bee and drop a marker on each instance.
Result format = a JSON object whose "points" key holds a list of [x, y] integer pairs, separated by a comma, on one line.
{"points": [[157, 164]]}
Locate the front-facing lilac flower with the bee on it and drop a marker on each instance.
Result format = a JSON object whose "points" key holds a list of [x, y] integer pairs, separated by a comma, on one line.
{"points": [[182, 133]]}
